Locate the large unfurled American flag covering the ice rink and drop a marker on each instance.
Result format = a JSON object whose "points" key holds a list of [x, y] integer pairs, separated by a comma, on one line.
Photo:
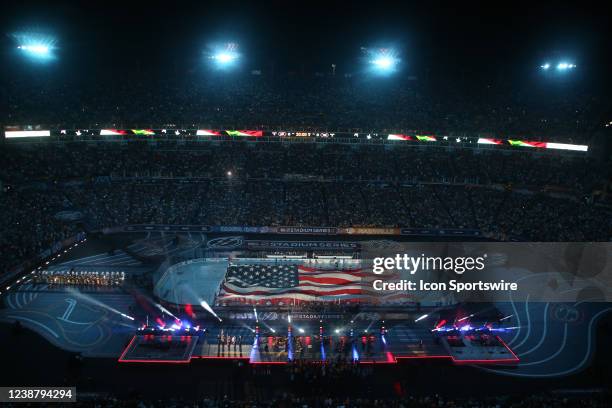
{"points": [[256, 283]]}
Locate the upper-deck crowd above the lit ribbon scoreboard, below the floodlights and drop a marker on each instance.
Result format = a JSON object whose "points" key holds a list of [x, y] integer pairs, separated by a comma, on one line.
{"points": [[307, 102]]}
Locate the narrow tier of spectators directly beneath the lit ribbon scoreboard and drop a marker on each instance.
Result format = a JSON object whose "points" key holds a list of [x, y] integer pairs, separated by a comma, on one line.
{"points": [[300, 161]]}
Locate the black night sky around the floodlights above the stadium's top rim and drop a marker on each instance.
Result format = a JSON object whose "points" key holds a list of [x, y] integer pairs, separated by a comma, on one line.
{"points": [[478, 40]]}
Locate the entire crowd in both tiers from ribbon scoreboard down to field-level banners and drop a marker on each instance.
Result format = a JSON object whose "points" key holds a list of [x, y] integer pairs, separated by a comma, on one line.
{"points": [[502, 194]]}
